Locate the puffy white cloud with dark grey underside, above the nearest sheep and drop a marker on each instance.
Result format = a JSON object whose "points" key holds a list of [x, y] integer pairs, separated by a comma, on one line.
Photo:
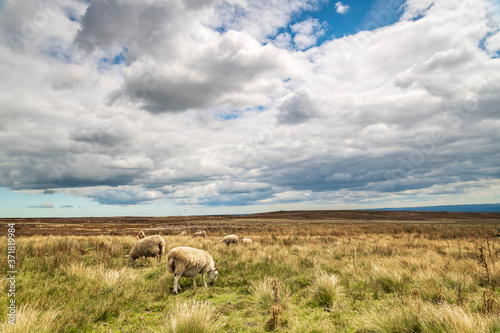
{"points": [[216, 74]]}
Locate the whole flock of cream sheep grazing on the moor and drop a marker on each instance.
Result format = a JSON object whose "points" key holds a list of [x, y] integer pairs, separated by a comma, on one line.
{"points": [[182, 261]]}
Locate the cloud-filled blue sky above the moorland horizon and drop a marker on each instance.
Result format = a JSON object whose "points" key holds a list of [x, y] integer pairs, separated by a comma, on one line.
{"points": [[184, 107]]}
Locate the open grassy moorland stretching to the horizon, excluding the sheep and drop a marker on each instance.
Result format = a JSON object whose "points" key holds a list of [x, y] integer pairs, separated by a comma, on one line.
{"points": [[317, 271]]}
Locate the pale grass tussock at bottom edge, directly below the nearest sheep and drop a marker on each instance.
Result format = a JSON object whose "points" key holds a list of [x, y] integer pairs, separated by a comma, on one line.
{"points": [[193, 317]]}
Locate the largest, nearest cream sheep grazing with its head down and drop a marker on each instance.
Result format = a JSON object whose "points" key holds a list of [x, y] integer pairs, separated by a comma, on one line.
{"points": [[189, 262]]}
